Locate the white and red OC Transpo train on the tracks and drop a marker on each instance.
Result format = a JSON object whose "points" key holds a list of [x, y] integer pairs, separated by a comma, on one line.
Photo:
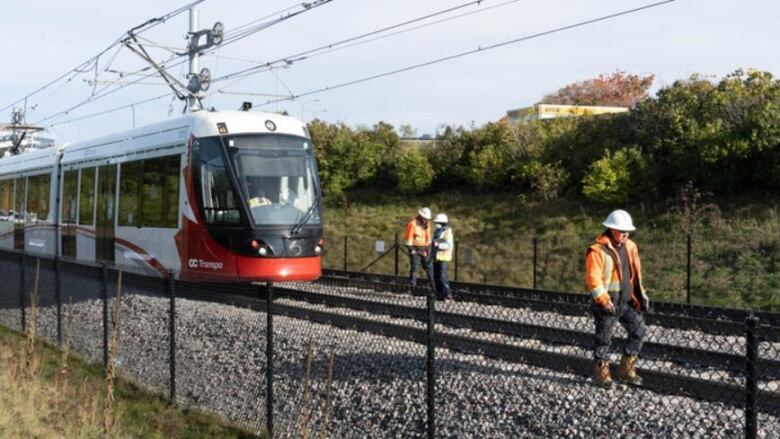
{"points": [[217, 196]]}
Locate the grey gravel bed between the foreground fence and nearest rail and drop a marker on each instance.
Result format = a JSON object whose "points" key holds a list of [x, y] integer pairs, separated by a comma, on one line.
{"points": [[378, 383]]}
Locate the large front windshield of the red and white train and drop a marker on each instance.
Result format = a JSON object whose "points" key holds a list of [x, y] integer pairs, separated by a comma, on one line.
{"points": [[277, 176]]}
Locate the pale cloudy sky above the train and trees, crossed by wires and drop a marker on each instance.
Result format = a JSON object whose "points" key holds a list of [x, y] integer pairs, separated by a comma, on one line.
{"points": [[42, 40]]}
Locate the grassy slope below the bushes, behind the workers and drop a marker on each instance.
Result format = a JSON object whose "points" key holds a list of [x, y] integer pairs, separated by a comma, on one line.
{"points": [[735, 260]]}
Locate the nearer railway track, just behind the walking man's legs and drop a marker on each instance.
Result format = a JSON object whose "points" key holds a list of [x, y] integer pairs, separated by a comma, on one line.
{"points": [[492, 338]]}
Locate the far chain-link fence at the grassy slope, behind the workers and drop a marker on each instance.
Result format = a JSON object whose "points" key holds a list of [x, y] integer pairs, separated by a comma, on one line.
{"points": [[707, 268]]}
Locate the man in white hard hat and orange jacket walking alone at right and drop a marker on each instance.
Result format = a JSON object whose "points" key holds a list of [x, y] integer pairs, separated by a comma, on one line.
{"points": [[613, 277]]}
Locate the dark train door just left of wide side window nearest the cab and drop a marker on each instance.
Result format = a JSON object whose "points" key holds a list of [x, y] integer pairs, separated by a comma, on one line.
{"points": [[104, 224]]}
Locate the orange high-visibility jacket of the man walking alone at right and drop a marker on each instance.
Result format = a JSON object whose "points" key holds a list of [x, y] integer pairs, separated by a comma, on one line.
{"points": [[603, 273]]}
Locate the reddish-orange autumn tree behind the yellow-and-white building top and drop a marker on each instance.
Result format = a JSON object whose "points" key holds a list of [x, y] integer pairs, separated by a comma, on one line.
{"points": [[618, 89]]}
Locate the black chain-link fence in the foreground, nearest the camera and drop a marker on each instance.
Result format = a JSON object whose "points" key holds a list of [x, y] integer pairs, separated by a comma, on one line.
{"points": [[372, 357]]}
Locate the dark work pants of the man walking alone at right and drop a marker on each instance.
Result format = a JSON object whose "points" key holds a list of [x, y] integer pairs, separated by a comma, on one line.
{"points": [[630, 318]]}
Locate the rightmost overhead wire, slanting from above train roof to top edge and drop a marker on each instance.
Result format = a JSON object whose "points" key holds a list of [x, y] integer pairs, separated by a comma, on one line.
{"points": [[471, 52]]}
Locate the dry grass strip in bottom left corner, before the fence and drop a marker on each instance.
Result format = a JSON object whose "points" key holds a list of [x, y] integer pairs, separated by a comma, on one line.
{"points": [[68, 401]]}
